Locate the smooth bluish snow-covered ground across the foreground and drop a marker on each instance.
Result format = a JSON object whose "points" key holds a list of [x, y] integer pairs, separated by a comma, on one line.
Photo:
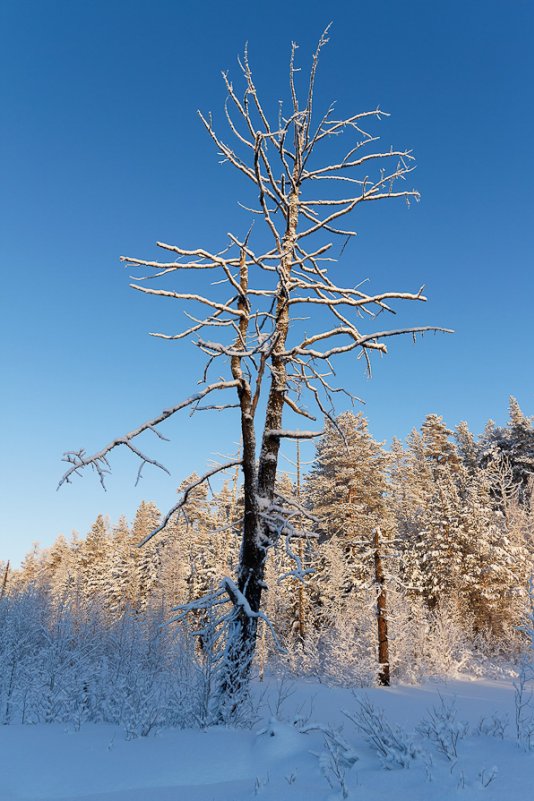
{"points": [[275, 759]]}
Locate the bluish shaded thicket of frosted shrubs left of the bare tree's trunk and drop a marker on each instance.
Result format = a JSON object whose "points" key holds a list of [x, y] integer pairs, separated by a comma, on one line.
{"points": [[57, 665]]}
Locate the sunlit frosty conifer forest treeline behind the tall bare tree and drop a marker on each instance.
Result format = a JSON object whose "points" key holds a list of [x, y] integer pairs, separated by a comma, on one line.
{"points": [[447, 516]]}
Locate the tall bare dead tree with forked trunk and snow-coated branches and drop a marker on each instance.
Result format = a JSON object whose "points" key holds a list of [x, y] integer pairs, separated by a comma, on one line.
{"points": [[250, 309]]}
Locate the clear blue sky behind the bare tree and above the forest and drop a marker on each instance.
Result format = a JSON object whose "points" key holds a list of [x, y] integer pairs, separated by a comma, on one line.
{"points": [[101, 154]]}
